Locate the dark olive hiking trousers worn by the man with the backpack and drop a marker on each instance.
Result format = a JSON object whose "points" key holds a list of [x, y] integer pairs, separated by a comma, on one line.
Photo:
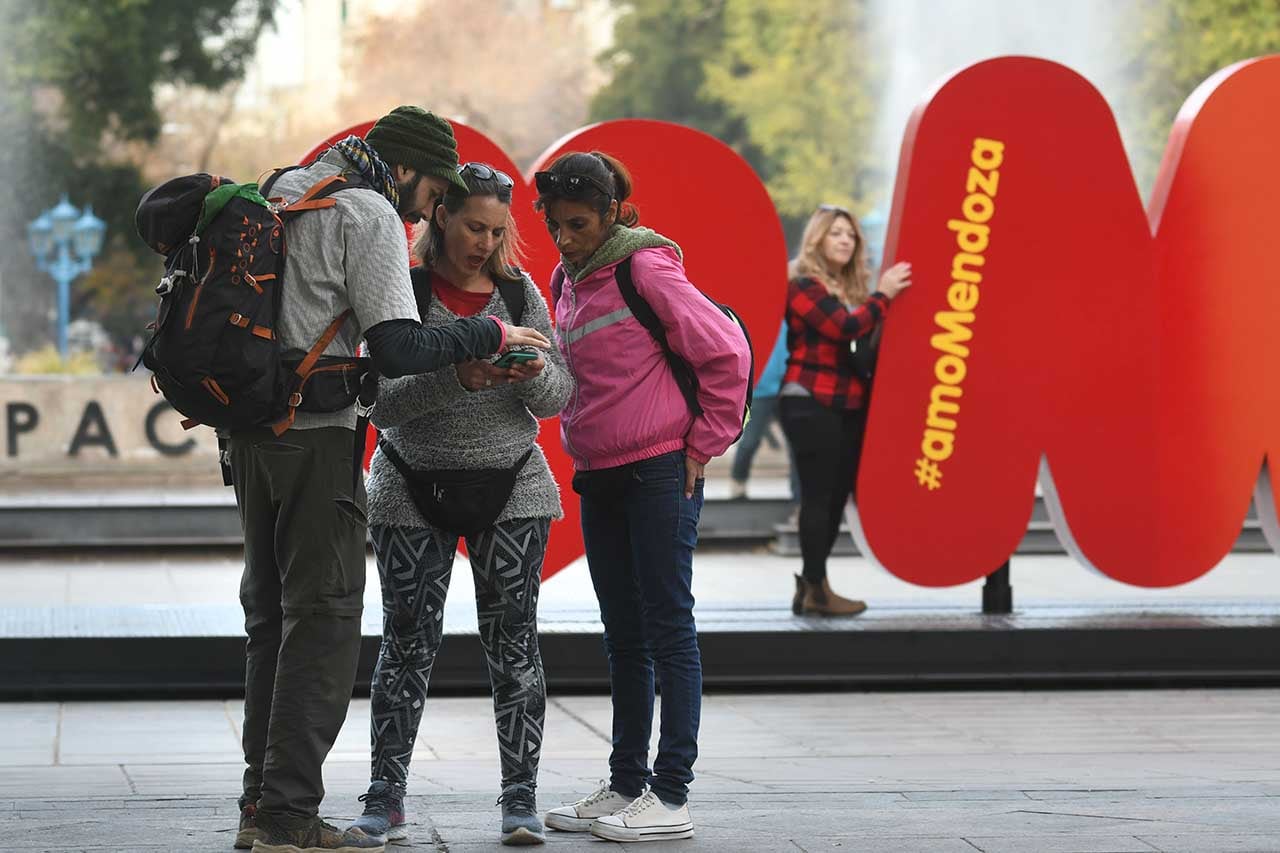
{"points": [[303, 594]]}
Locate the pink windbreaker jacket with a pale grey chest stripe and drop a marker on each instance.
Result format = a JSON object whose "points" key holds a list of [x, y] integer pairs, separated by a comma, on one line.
{"points": [[627, 407]]}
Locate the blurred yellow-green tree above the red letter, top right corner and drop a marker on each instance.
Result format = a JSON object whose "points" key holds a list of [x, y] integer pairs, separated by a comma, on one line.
{"points": [[1177, 45]]}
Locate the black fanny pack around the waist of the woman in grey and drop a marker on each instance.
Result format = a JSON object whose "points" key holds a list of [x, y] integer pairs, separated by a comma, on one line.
{"points": [[463, 503]]}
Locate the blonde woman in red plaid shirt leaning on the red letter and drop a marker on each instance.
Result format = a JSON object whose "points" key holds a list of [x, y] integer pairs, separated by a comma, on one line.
{"points": [[824, 402]]}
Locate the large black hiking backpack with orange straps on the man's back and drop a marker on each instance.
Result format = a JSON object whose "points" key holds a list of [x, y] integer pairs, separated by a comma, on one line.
{"points": [[214, 352]]}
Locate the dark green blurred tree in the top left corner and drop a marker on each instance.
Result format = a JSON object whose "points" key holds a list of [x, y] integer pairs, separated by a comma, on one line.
{"points": [[77, 85]]}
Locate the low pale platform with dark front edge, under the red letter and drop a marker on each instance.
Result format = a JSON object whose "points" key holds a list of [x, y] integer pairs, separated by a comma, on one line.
{"points": [[168, 624]]}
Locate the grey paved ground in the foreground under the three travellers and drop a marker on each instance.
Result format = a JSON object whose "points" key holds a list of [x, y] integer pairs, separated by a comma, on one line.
{"points": [[1194, 772]]}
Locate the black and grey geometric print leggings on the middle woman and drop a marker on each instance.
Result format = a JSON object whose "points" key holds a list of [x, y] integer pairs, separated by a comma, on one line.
{"points": [[415, 567]]}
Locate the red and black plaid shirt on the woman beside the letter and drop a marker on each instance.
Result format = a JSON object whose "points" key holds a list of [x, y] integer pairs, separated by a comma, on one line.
{"points": [[820, 329]]}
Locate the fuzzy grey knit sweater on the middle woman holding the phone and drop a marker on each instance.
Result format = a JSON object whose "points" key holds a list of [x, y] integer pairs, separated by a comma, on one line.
{"points": [[437, 423]]}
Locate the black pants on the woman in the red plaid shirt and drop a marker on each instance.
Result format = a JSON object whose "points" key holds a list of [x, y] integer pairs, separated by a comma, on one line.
{"points": [[828, 445]]}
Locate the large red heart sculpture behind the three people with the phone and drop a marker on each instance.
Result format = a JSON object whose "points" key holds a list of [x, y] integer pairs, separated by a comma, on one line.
{"points": [[691, 188]]}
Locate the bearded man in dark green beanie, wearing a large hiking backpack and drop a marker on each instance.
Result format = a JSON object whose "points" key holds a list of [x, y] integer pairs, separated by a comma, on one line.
{"points": [[298, 486]]}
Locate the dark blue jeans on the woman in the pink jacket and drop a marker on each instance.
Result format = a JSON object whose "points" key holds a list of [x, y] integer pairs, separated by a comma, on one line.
{"points": [[641, 533]]}
